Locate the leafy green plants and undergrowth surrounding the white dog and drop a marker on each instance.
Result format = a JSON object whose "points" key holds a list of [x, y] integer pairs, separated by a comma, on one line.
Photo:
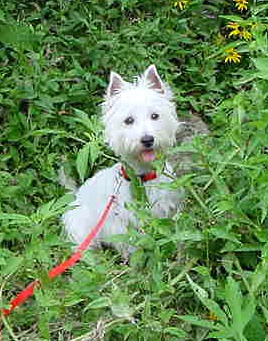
{"points": [[55, 61]]}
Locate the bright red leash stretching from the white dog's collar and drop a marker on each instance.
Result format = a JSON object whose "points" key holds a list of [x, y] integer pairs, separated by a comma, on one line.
{"points": [[59, 269]]}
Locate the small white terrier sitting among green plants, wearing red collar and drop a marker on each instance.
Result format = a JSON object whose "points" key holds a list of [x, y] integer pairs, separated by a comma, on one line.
{"points": [[140, 120]]}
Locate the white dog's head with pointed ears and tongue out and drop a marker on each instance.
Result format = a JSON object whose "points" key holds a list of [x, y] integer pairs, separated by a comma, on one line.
{"points": [[140, 117]]}
